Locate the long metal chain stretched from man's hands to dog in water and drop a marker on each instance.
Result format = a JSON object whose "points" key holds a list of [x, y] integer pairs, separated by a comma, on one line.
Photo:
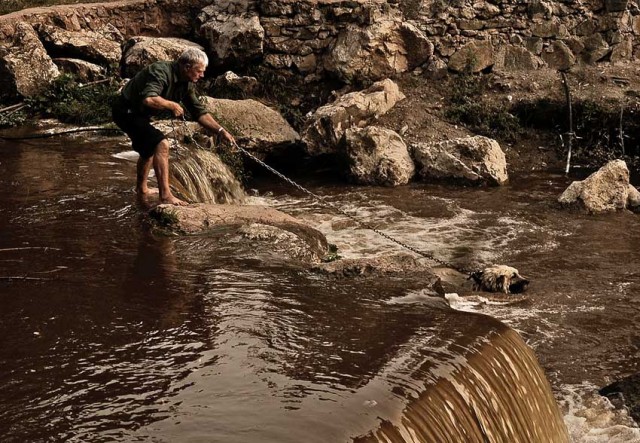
{"points": [[337, 208]]}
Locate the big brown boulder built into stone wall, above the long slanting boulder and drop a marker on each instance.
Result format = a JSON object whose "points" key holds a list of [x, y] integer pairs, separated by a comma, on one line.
{"points": [[383, 49]]}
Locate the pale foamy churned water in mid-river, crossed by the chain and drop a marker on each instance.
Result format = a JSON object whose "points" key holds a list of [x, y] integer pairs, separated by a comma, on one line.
{"points": [[463, 233]]}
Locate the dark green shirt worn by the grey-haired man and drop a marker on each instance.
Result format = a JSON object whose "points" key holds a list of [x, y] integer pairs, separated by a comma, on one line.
{"points": [[162, 79]]}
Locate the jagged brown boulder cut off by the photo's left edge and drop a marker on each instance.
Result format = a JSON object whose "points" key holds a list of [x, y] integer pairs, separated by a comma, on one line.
{"points": [[25, 67]]}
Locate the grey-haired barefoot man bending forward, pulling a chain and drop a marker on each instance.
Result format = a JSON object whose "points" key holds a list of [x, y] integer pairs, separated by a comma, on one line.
{"points": [[162, 87]]}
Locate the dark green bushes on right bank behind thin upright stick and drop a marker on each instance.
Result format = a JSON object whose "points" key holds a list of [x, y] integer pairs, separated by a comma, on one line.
{"points": [[603, 129]]}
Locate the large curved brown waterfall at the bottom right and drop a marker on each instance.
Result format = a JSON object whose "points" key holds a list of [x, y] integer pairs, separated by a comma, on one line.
{"points": [[492, 392]]}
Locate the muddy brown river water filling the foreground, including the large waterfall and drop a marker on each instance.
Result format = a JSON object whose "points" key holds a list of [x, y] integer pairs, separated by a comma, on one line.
{"points": [[109, 332]]}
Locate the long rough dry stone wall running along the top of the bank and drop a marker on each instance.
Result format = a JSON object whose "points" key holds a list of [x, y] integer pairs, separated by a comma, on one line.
{"points": [[362, 39]]}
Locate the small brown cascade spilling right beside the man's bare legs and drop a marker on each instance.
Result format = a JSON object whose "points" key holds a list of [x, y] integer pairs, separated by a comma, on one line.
{"points": [[200, 176]]}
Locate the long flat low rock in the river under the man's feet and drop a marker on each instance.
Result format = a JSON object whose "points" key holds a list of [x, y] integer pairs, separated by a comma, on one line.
{"points": [[265, 227]]}
